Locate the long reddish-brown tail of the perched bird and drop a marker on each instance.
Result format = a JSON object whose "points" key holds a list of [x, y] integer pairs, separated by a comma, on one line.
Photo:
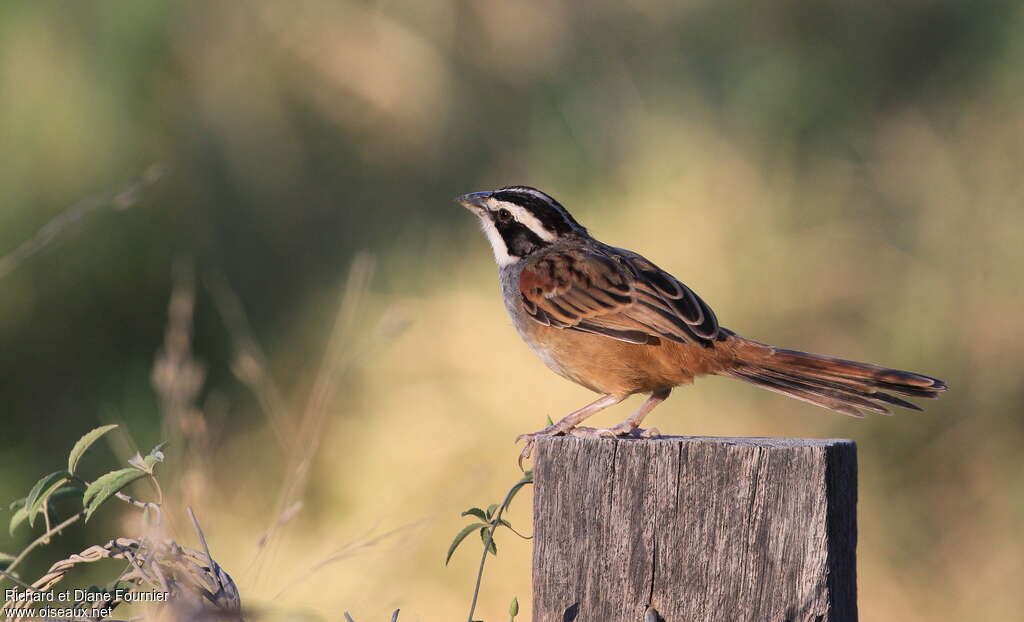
{"points": [[845, 387]]}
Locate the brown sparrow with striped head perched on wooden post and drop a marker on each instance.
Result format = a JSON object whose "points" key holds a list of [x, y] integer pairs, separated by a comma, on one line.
{"points": [[612, 321]]}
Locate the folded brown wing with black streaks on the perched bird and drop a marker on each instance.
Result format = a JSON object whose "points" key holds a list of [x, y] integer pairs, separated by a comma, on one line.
{"points": [[617, 294]]}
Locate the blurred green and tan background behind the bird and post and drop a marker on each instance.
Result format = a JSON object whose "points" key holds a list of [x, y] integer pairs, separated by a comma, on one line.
{"points": [[337, 376]]}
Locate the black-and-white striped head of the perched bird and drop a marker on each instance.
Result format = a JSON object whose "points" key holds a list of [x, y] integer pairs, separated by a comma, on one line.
{"points": [[520, 221]]}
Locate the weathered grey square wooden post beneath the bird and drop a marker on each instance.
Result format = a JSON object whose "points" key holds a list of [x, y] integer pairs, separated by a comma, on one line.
{"points": [[702, 529]]}
